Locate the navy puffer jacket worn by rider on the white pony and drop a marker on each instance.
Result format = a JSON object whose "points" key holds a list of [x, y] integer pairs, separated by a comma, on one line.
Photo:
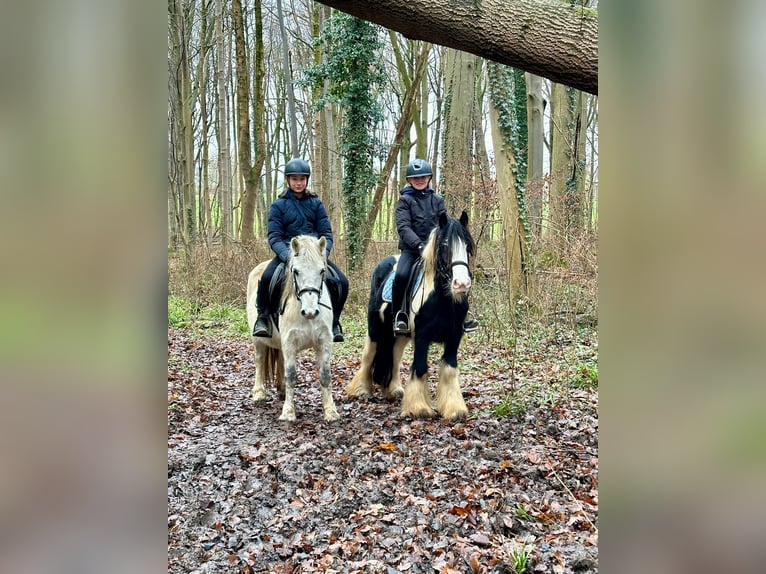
{"points": [[290, 217]]}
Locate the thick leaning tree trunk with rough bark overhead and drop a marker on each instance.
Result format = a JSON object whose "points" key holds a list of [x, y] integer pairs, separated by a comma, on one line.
{"points": [[545, 37]]}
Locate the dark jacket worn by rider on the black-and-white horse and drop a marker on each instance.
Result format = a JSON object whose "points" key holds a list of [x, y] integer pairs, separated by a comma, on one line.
{"points": [[417, 213]]}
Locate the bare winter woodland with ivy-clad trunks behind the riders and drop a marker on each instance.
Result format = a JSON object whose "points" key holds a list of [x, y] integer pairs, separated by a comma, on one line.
{"points": [[254, 84]]}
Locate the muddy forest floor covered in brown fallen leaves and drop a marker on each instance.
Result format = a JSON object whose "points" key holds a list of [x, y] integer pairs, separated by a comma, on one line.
{"points": [[512, 488]]}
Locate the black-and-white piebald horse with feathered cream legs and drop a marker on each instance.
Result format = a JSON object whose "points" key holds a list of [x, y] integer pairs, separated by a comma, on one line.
{"points": [[438, 307]]}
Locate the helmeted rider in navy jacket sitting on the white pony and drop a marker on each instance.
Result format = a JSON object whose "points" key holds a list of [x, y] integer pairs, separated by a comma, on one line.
{"points": [[298, 212]]}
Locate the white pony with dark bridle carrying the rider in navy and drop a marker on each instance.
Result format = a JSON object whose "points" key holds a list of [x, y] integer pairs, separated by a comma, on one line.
{"points": [[305, 321]]}
